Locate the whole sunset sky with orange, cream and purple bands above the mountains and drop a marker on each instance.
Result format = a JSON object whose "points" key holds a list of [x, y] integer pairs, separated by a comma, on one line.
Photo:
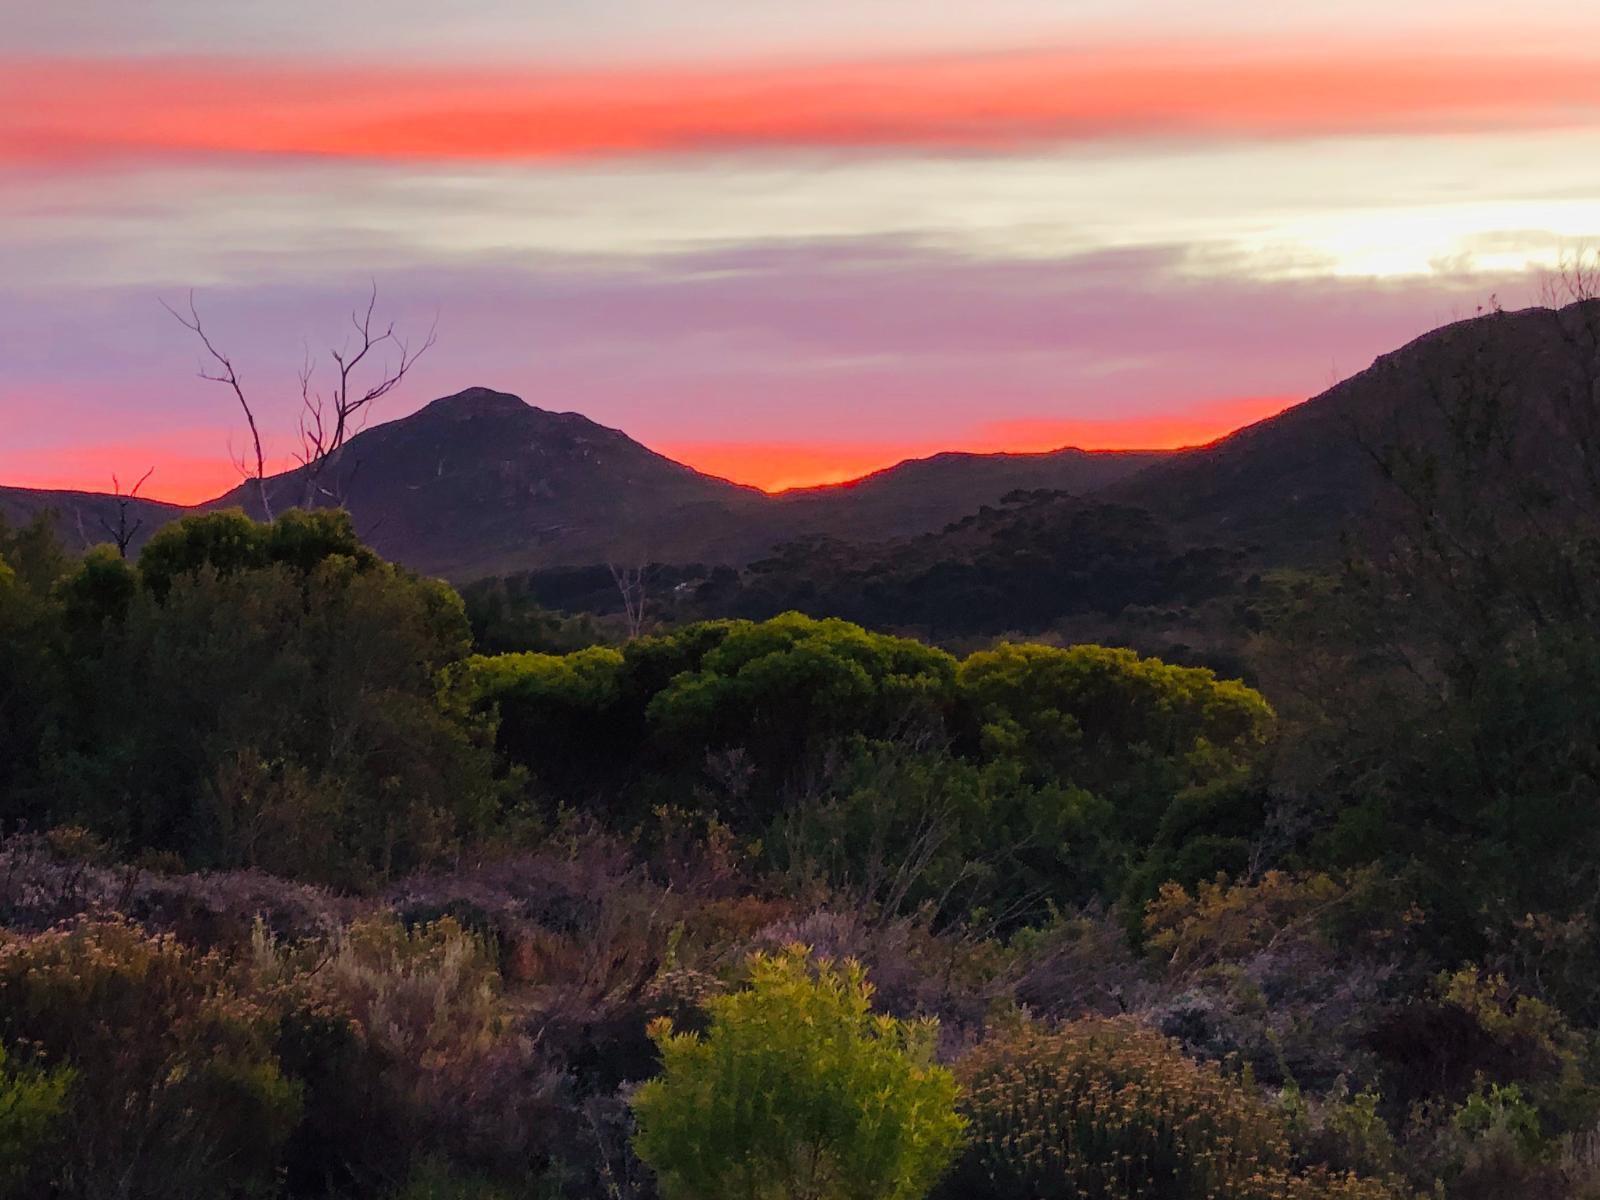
{"points": [[785, 244]]}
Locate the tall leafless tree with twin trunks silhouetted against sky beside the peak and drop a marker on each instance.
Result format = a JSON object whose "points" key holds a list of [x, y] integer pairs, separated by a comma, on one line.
{"points": [[327, 423]]}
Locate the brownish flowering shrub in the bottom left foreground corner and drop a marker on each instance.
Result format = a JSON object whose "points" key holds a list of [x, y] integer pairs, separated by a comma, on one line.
{"points": [[177, 1094]]}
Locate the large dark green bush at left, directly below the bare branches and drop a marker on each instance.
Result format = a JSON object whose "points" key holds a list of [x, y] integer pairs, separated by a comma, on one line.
{"points": [[300, 724]]}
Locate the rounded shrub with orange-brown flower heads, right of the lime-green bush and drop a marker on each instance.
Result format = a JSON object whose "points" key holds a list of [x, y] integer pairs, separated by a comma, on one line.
{"points": [[1108, 1110]]}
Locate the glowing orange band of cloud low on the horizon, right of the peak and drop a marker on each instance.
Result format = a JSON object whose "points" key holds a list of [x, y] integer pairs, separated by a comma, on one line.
{"points": [[775, 466]]}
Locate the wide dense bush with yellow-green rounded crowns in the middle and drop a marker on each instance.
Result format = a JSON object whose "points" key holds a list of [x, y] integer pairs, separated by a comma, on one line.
{"points": [[1018, 778]]}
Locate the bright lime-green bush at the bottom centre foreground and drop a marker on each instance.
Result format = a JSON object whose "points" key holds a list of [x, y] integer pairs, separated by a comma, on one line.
{"points": [[798, 1092]]}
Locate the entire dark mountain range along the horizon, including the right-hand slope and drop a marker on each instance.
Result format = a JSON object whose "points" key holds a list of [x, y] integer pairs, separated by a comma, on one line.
{"points": [[482, 484]]}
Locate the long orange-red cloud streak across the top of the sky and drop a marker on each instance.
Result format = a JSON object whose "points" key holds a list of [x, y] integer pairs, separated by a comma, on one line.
{"points": [[63, 111]]}
